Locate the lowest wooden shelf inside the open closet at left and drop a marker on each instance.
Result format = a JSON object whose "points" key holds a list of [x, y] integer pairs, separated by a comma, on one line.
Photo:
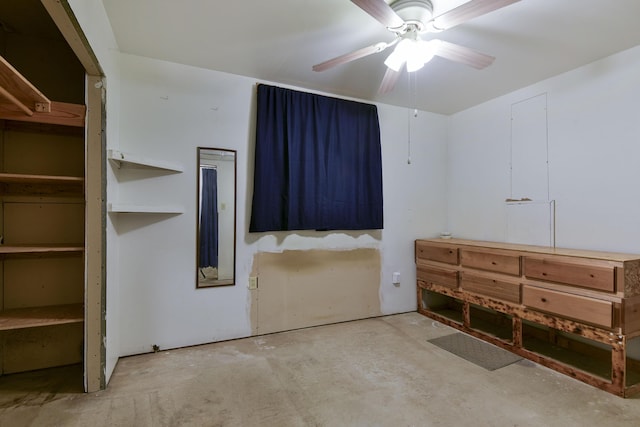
{"points": [[33, 317]]}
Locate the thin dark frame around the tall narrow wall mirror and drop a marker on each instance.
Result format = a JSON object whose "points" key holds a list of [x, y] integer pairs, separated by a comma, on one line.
{"points": [[235, 219]]}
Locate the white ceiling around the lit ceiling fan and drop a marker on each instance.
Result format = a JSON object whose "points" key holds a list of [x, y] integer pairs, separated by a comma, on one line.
{"points": [[280, 40]]}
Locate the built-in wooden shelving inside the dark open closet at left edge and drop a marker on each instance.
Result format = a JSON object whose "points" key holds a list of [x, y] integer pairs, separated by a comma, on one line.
{"points": [[42, 206]]}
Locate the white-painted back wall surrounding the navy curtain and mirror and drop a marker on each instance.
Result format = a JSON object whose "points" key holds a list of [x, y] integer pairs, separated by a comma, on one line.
{"points": [[166, 111]]}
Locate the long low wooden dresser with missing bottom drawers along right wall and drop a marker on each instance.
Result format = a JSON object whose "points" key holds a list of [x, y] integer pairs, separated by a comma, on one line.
{"points": [[574, 311]]}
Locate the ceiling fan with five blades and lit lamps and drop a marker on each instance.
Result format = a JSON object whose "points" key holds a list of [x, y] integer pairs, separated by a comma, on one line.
{"points": [[407, 20]]}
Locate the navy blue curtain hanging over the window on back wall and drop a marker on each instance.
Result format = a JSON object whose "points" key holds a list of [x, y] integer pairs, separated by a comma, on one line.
{"points": [[318, 163]]}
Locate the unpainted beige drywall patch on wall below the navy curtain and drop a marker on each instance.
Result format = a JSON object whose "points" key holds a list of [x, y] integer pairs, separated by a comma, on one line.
{"points": [[298, 289]]}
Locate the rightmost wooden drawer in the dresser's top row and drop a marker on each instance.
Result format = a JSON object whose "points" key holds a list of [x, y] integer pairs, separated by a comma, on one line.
{"points": [[585, 275]]}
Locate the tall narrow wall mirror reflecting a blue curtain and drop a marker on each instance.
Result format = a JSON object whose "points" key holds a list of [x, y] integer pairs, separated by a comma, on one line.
{"points": [[216, 217]]}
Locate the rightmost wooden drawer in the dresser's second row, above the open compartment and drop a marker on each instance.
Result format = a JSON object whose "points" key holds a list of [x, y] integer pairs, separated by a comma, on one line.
{"points": [[590, 310]]}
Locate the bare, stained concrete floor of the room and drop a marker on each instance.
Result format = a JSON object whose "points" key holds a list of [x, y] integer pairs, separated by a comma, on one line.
{"points": [[375, 372]]}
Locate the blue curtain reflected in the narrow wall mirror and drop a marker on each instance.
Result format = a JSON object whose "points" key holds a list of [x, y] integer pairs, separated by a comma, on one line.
{"points": [[209, 219]]}
